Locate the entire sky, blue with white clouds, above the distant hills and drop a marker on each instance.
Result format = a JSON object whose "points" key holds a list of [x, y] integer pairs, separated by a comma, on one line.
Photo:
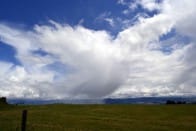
{"points": [[87, 49]]}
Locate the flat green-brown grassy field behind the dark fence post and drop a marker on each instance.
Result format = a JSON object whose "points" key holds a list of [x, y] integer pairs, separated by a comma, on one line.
{"points": [[59, 117]]}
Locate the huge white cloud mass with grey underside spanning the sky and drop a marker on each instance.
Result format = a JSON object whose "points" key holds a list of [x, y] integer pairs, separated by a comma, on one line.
{"points": [[96, 64]]}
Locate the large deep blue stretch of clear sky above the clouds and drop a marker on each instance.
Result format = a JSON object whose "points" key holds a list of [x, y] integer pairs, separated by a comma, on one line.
{"points": [[72, 11]]}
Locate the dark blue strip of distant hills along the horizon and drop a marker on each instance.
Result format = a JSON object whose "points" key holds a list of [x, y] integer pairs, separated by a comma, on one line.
{"points": [[140, 100]]}
